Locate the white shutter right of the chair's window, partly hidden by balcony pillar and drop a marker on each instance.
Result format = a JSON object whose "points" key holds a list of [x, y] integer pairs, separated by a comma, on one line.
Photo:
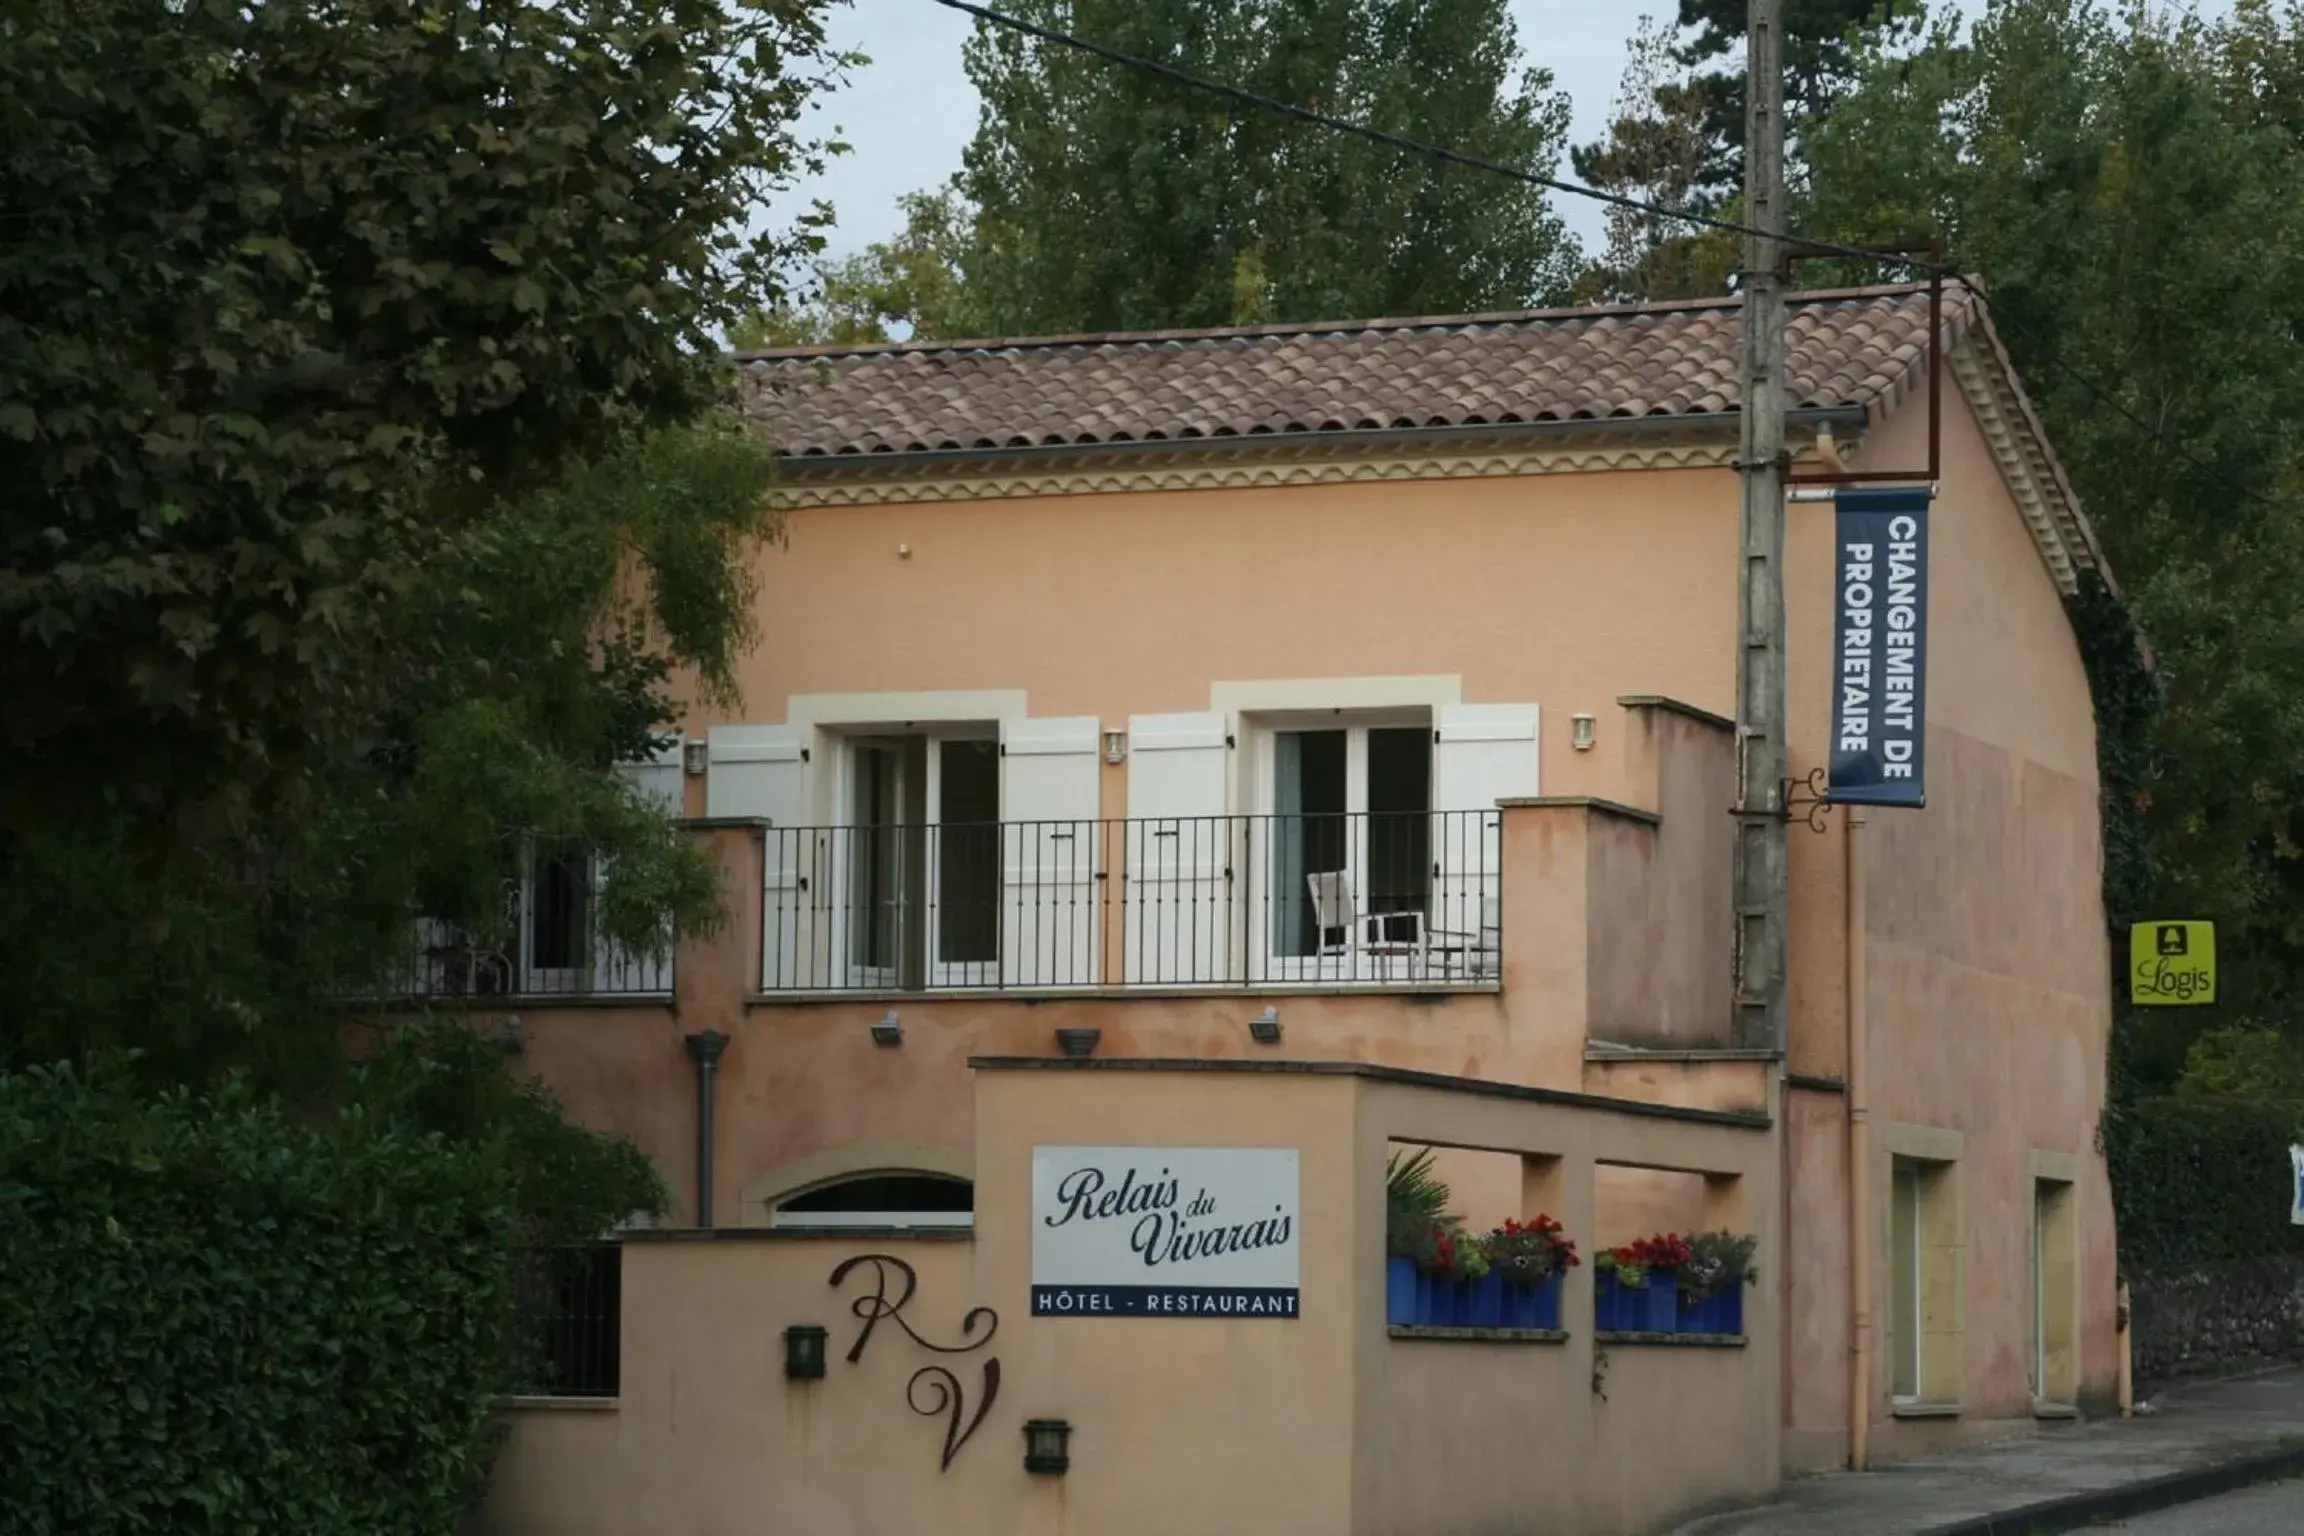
{"points": [[1483, 754]]}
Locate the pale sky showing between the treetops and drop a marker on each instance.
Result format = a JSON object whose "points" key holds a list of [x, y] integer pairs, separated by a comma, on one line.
{"points": [[911, 112]]}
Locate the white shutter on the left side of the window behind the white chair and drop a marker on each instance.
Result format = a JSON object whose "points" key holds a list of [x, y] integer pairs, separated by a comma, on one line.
{"points": [[1176, 918]]}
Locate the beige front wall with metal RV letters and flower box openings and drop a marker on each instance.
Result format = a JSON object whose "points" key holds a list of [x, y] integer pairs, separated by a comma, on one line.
{"points": [[1317, 1424]]}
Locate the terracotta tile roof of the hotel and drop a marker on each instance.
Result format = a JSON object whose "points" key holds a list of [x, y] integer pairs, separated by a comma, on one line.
{"points": [[1854, 349]]}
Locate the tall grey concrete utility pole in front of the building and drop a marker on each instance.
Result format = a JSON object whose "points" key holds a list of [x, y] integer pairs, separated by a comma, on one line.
{"points": [[1759, 674]]}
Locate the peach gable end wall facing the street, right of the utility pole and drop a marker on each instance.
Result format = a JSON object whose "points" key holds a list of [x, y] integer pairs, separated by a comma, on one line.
{"points": [[1990, 978]]}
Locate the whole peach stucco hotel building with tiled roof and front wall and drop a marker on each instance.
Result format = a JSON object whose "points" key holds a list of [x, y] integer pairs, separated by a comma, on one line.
{"points": [[1310, 743]]}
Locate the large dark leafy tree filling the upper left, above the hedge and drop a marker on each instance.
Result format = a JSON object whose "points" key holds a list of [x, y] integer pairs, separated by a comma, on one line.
{"points": [[367, 503]]}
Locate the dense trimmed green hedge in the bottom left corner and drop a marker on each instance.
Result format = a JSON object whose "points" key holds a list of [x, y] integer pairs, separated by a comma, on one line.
{"points": [[220, 1321]]}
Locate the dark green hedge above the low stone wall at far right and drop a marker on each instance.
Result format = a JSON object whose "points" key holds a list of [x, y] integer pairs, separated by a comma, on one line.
{"points": [[2201, 1183]]}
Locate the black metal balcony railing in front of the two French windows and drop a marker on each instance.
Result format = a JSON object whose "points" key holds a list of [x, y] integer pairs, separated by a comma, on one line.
{"points": [[1384, 902]]}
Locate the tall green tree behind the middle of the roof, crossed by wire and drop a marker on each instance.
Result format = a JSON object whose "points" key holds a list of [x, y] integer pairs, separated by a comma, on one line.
{"points": [[1109, 199]]}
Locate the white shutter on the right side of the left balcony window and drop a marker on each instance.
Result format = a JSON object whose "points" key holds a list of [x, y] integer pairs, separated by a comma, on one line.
{"points": [[1049, 911]]}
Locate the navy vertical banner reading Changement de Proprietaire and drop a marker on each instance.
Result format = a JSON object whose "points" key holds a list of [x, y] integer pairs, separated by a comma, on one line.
{"points": [[1881, 651]]}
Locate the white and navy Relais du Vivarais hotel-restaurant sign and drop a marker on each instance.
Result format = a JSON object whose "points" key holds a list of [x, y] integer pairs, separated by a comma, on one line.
{"points": [[1165, 1233]]}
